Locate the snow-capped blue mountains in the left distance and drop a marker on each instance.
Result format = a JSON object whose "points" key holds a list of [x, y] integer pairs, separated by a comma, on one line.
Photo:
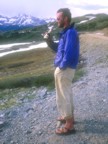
{"points": [[19, 22]]}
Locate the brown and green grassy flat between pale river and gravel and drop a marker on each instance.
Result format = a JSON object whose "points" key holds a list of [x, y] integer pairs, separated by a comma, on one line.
{"points": [[30, 68]]}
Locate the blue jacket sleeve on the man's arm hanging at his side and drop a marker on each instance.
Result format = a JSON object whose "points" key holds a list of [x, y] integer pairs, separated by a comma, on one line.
{"points": [[71, 50]]}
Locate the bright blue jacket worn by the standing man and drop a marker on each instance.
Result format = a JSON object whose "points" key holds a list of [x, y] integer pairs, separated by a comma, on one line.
{"points": [[67, 49]]}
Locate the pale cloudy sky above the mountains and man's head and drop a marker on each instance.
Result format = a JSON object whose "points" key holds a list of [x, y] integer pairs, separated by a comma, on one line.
{"points": [[48, 8]]}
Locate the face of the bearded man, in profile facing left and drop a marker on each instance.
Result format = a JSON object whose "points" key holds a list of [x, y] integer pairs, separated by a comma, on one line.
{"points": [[60, 19]]}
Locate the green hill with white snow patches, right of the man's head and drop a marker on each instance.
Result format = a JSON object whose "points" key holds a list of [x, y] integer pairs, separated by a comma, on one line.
{"points": [[91, 22]]}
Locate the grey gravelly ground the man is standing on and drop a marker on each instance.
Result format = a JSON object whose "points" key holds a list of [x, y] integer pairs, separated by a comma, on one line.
{"points": [[33, 121]]}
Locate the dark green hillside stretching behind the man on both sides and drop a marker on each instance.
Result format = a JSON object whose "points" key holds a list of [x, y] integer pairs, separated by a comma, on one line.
{"points": [[84, 23]]}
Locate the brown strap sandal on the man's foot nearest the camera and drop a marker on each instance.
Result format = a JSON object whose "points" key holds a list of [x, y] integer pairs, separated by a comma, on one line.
{"points": [[65, 131]]}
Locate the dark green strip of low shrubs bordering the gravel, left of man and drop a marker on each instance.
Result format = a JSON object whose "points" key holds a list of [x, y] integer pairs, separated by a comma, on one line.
{"points": [[42, 80]]}
